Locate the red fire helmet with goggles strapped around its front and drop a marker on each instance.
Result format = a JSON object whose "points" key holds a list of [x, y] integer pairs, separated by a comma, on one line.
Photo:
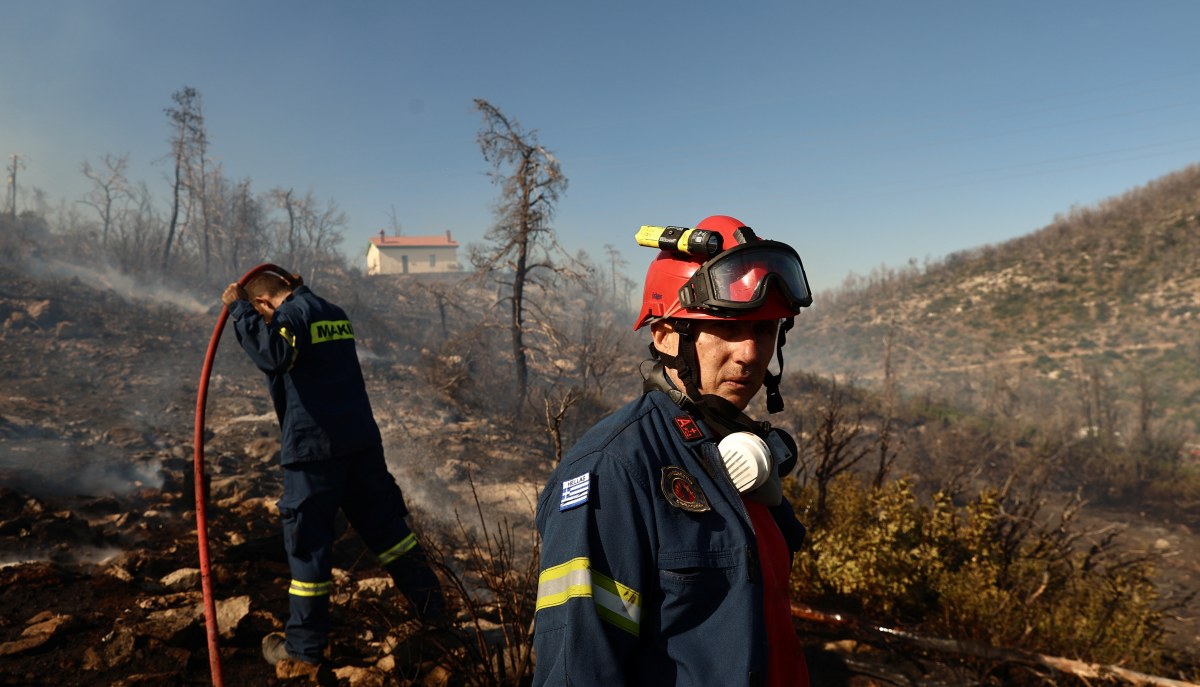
{"points": [[751, 279]]}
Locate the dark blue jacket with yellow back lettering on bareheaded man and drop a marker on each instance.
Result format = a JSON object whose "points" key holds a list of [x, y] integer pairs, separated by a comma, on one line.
{"points": [[313, 371]]}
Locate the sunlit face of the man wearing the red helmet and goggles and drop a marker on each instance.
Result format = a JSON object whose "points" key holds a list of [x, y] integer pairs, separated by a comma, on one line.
{"points": [[734, 355]]}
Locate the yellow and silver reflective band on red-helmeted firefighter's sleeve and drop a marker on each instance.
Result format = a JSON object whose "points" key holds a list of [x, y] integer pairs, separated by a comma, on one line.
{"points": [[615, 602]]}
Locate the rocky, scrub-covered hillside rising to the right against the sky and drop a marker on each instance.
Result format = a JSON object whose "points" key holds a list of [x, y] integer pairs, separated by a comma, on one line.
{"points": [[1100, 308]]}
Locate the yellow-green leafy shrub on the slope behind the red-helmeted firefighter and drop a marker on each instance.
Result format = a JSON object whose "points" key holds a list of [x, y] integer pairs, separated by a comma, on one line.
{"points": [[987, 571]]}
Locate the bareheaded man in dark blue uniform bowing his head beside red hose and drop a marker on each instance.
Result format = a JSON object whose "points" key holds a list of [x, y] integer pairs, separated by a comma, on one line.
{"points": [[332, 453]]}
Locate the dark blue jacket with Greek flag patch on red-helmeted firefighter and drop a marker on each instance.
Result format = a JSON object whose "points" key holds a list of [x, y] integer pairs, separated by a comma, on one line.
{"points": [[650, 563]]}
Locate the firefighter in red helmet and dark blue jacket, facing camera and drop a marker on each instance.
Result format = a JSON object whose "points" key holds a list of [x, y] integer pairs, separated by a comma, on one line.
{"points": [[667, 540]]}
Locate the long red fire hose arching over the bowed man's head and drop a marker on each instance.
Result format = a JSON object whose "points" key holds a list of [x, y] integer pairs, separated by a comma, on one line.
{"points": [[202, 396]]}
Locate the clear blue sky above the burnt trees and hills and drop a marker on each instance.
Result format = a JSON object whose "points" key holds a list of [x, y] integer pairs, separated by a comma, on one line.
{"points": [[862, 133]]}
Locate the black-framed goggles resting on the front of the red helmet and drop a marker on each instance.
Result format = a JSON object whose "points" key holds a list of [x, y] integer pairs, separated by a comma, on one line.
{"points": [[740, 280]]}
